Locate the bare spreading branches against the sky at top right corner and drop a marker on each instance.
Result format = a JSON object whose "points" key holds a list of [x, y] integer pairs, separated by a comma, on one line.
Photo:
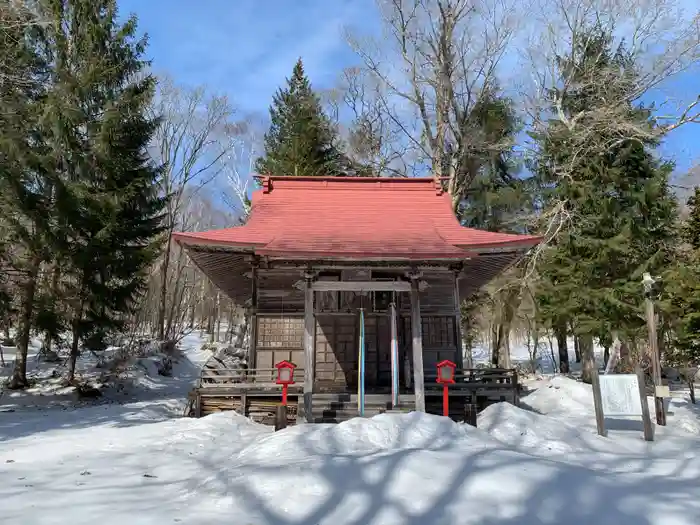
{"points": [[662, 41]]}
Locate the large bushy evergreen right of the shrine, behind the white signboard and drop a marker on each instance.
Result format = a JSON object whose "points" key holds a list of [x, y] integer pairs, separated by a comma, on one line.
{"points": [[617, 204]]}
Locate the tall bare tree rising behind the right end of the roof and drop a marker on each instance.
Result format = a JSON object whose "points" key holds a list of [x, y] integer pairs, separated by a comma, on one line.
{"points": [[436, 62]]}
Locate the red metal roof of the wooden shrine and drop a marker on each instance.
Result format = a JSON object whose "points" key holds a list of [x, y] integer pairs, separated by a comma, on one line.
{"points": [[355, 217]]}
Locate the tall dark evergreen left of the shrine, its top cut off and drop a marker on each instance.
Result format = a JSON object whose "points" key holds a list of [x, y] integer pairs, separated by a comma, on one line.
{"points": [[108, 211]]}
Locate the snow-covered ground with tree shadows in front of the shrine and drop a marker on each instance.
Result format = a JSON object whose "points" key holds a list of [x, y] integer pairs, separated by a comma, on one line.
{"points": [[116, 463]]}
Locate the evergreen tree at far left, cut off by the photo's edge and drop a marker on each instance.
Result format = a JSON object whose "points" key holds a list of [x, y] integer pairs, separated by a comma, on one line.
{"points": [[26, 214]]}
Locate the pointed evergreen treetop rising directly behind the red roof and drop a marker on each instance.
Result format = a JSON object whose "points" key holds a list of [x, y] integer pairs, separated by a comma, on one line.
{"points": [[301, 140]]}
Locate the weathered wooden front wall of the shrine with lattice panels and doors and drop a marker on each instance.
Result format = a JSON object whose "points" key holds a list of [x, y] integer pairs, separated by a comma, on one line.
{"points": [[280, 327]]}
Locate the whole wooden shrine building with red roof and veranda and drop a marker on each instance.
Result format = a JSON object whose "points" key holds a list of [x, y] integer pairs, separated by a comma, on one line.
{"points": [[324, 264]]}
